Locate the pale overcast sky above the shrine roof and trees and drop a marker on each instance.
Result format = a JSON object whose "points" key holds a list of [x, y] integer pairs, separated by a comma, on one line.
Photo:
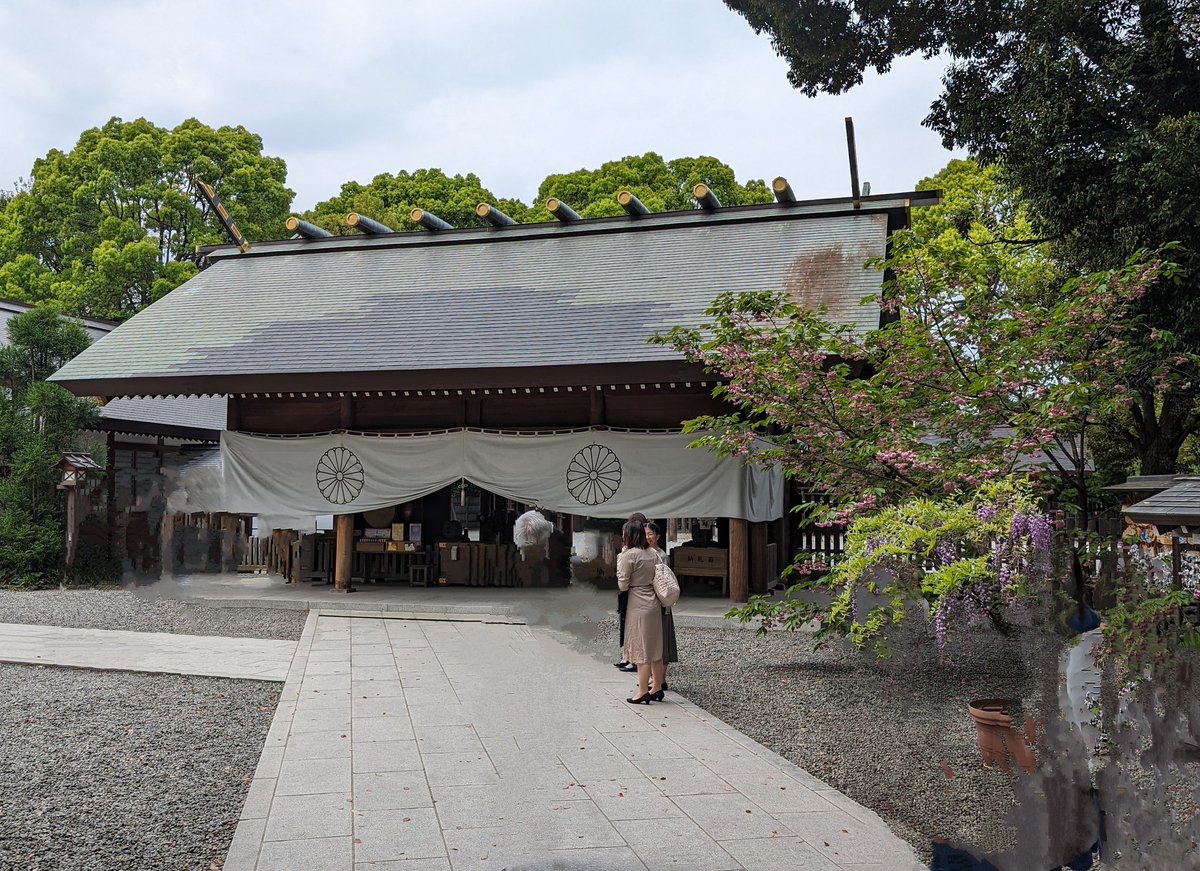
{"points": [[511, 91]]}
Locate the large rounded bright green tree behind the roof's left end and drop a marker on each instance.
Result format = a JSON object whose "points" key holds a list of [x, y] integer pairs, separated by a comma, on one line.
{"points": [[113, 225]]}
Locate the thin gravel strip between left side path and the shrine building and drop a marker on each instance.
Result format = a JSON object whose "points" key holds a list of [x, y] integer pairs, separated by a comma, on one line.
{"points": [[129, 611]]}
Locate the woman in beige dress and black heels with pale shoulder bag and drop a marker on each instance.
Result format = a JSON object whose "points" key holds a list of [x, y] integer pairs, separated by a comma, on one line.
{"points": [[644, 615]]}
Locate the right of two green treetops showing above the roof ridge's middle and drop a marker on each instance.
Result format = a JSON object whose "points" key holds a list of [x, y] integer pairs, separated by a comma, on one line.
{"points": [[662, 185]]}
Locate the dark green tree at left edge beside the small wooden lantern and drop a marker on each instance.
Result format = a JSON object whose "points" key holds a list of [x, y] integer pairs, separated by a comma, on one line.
{"points": [[38, 422]]}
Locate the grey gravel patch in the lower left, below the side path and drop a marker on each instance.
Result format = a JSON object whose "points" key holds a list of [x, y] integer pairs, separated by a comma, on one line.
{"points": [[106, 772]]}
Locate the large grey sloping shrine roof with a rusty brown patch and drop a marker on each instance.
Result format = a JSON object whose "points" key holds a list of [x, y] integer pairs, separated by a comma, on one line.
{"points": [[493, 305]]}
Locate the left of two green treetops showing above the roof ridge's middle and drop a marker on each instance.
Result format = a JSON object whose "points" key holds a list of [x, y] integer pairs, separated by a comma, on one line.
{"points": [[392, 199]]}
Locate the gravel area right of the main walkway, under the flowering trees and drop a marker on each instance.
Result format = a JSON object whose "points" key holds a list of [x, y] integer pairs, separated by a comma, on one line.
{"points": [[895, 736]]}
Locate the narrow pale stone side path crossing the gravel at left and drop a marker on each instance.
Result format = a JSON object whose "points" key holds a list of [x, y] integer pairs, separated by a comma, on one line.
{"points": [[254, 659]]}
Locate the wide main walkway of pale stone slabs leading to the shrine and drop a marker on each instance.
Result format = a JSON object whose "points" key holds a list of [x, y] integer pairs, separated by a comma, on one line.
{"points": [[427, 746]]}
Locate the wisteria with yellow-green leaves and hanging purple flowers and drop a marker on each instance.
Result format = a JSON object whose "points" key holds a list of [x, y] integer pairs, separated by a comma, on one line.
{"points": [[979, 562]]}
